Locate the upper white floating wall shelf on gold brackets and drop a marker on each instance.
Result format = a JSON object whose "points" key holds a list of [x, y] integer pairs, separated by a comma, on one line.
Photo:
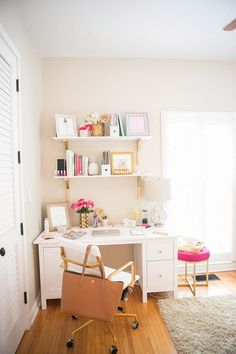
{"points": [[101, 138]]}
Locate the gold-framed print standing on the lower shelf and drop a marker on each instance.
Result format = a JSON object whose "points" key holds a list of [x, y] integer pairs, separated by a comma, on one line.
{"points": [[122, 163]]}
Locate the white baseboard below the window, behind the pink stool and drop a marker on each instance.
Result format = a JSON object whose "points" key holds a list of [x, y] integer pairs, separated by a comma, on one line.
{"points": [[213, 267]]}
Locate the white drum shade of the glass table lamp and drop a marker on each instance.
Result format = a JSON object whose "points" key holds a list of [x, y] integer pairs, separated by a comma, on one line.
{"points": [[157, 189]]}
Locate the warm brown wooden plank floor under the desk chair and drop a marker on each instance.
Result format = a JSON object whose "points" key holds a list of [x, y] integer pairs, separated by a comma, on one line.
{"points": [[51, 329]]}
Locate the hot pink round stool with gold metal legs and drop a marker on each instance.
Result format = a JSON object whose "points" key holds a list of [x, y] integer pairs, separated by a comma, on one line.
{"points": [[192, 257]]}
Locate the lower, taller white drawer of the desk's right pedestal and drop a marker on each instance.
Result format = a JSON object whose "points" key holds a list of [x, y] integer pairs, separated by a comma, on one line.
{"points": [[160, 276]]}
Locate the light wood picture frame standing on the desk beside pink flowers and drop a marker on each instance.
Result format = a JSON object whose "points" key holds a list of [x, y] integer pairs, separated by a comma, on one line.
{"points": [[57, 216]]}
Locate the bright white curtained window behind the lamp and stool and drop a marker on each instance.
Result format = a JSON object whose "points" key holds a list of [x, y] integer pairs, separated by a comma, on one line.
{"points": [[198, 154]]}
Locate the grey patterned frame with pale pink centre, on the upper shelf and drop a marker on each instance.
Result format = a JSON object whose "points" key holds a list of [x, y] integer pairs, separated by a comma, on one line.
{"points": [[136, 124]]}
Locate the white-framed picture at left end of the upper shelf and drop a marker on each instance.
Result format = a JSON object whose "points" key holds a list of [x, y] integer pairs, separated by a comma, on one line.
{"points": [[65, 126]]}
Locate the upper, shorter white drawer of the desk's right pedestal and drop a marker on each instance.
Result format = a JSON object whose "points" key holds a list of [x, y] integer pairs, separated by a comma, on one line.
{"points": [[160, 250]]}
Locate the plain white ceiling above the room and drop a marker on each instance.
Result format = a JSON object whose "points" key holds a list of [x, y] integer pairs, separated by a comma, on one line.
{"points": [[183, 29]]}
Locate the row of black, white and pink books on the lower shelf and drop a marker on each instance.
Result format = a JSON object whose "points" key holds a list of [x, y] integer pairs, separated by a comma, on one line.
{"points": [[73, 165]]}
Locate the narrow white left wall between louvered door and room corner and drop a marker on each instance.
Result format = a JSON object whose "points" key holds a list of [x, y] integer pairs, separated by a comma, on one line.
{"points": [[30, 95]]}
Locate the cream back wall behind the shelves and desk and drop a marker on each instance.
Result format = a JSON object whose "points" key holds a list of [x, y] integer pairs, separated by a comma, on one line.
{"points": [[78, 86]]}
